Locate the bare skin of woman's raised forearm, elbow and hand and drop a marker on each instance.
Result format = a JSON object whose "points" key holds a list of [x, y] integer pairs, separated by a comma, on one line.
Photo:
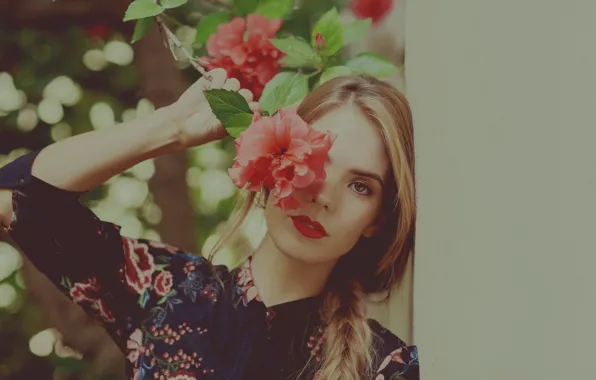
{"points": [[85, 161]]}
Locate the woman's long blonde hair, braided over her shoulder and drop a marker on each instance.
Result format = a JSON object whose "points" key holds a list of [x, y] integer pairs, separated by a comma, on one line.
{"points": [[375, 264]]}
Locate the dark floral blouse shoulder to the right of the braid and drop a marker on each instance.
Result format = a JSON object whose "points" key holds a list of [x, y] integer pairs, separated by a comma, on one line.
{"points": [[395, 358]]}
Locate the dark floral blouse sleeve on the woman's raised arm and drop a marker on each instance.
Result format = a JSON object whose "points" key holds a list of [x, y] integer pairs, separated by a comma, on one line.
{"points": [[115, 279]]}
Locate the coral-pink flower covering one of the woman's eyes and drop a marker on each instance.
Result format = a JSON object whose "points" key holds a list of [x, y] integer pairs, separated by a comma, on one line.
{"points": [[282, 153]]}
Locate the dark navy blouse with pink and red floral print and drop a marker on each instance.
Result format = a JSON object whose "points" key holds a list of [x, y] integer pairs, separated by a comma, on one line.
{"points": [[173, 314]]}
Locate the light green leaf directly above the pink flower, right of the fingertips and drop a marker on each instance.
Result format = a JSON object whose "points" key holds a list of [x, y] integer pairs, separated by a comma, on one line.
{"points": [[285, 89]]}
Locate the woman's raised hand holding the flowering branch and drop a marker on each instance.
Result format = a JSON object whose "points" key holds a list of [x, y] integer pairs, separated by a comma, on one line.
{"points": [[191, 114]]}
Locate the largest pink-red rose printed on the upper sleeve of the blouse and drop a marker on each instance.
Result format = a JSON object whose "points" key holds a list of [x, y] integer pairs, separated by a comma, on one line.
{"points": [[138, 265]]}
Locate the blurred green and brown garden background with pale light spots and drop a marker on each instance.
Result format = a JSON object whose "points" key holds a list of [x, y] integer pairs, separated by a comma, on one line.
{"points": [[68, 67]]}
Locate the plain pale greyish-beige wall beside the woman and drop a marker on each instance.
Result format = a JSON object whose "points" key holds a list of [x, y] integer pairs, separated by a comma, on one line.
{"points": [[504, 98]]}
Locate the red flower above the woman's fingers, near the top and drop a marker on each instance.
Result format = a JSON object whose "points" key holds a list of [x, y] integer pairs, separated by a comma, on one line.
{"points": [[242, 48]]}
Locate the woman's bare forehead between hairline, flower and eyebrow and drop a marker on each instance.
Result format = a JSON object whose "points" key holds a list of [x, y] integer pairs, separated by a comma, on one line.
{"points": [[358, 144]]}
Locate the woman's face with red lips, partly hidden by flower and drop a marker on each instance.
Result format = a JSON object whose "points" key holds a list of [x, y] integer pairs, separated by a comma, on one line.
{"points": [[349, 201]]}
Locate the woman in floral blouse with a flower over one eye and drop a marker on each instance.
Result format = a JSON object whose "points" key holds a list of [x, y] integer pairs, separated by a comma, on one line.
{"points": [[295, 308]]}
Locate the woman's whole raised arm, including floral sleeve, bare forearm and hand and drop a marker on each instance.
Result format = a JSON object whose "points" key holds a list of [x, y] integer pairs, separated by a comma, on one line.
{"points": [[116, 279]]}
